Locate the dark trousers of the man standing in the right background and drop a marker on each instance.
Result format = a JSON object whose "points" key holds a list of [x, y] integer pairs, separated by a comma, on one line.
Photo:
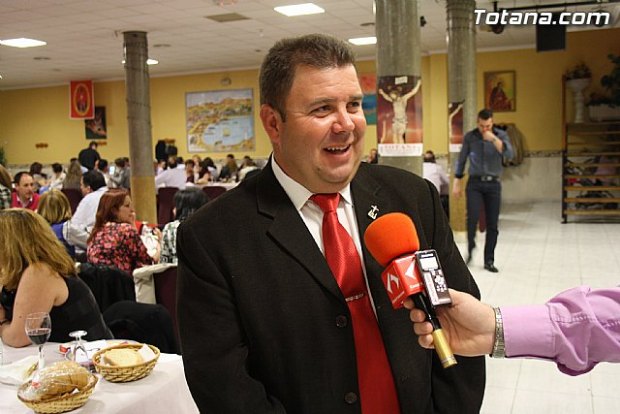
{"points": [[487, 194]]}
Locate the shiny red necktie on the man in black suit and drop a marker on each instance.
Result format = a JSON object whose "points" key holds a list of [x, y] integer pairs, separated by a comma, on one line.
{"points": [[376, 383]]}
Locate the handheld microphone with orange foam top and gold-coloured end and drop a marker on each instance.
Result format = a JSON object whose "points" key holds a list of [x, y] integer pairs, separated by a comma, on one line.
{"points": [[393, 241]]}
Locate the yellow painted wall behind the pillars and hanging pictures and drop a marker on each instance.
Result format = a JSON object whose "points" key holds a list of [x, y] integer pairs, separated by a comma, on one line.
{"points": [[41, 115]]}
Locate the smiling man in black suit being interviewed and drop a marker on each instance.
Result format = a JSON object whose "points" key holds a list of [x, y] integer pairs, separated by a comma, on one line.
{"points": [[263, 323]]}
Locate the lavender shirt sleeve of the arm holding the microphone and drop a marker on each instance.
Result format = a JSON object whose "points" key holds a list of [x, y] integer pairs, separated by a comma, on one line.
{"points": [[577, 329]]}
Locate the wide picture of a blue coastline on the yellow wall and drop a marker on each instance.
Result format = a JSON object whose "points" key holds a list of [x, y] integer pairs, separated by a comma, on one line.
{"points": [[220, 121]]}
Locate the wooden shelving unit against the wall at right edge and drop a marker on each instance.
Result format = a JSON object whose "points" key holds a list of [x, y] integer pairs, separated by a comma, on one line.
{"points": [[591, 171]]}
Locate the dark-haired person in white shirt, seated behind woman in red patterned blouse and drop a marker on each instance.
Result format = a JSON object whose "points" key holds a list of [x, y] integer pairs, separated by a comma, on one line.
{"points": [[93, 187]]}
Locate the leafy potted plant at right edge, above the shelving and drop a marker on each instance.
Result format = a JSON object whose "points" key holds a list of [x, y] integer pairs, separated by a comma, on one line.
{"points": [[606, 106]]}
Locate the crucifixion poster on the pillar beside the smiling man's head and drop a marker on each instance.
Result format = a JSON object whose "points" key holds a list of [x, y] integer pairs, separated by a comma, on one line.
{"points": [[399, 116]]}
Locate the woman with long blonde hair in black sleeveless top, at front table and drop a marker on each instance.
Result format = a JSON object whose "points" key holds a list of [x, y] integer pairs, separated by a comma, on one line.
{"points": [[37, 275]]}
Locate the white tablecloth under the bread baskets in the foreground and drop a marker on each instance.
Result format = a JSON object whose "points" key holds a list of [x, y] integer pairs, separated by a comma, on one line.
{"points": [[163, 391]]}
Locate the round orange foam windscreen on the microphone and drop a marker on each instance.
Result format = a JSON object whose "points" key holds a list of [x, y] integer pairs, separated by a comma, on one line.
{"points": [[390, 236]]}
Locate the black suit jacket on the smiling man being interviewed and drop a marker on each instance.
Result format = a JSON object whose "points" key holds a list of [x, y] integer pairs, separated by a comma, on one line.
{"points": [[258, 305]]}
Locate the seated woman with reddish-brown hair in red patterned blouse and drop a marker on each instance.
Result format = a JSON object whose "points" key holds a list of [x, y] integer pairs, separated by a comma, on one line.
{"points": [[114, 240]]}
